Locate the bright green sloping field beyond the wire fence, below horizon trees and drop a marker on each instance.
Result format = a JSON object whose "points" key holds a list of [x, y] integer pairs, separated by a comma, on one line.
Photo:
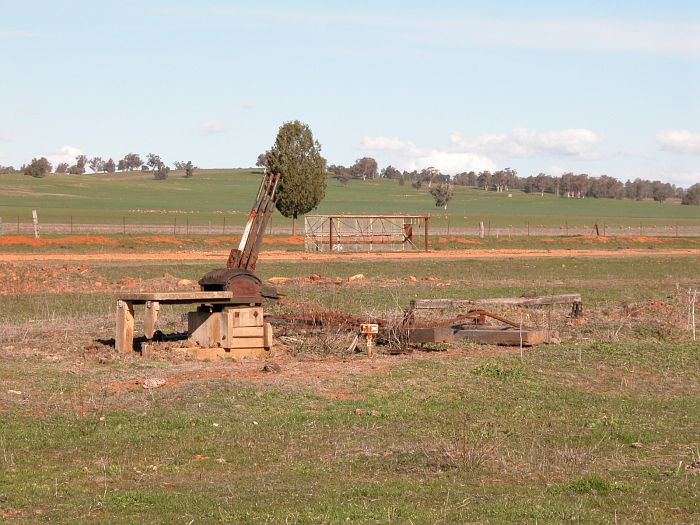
{"points": [[131, 201]]}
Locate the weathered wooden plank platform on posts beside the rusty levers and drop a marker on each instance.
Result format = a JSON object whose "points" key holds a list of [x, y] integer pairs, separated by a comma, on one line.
{"points": [[124, 335]]}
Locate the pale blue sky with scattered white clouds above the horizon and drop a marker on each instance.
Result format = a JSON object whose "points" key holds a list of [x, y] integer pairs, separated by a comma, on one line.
{"points": [[592, 87]]}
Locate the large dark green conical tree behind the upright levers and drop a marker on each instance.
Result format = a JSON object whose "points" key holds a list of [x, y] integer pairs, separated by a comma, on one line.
{"points": [[297, 157]]}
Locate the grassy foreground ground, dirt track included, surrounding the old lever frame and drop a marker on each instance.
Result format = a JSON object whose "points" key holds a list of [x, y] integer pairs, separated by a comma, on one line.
{"points": [[602, 428]]}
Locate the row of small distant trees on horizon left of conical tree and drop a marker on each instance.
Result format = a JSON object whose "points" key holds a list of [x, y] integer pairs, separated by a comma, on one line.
{"points": [[132, 161]]}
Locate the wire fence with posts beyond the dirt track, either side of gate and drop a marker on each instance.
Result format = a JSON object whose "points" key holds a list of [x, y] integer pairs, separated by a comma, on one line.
{"points": [[526, 229]]}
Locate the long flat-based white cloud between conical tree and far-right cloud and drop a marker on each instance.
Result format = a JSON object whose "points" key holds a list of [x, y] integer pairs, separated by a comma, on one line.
{"points": [[521, 142]]}
